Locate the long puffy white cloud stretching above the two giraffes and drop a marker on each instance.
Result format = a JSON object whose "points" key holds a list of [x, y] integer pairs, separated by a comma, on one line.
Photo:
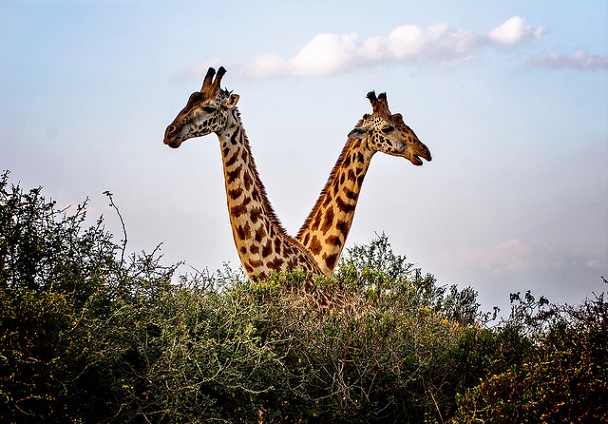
{"points": [[329, 53]]}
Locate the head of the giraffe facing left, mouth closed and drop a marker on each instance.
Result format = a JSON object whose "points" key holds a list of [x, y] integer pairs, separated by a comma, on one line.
{"points": [[207, 111]]}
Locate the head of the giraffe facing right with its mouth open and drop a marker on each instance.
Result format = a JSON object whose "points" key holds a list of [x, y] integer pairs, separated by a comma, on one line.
{"points": [[387, 133]]}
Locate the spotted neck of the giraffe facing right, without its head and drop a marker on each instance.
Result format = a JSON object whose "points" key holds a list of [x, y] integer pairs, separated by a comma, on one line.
{"points": [[325, 230]]}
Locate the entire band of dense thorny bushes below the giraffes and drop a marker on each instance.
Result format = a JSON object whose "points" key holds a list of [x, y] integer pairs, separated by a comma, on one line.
{"points": [[88, 334]]}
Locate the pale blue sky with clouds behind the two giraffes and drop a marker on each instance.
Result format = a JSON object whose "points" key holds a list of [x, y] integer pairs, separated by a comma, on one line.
{"points": [[510, 97]]}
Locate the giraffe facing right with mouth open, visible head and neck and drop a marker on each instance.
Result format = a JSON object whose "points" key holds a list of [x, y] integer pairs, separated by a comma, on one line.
{"points": [[325, 230]]}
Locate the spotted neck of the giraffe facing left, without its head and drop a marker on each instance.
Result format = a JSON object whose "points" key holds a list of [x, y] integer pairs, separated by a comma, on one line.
{"points": [[261, 241]]}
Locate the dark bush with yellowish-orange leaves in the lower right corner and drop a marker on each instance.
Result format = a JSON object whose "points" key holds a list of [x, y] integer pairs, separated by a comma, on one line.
{"points": [[559, 375]]}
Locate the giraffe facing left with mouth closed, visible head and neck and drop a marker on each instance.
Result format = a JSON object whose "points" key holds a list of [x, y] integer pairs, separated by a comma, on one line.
{"points": [[261, 241]]}
